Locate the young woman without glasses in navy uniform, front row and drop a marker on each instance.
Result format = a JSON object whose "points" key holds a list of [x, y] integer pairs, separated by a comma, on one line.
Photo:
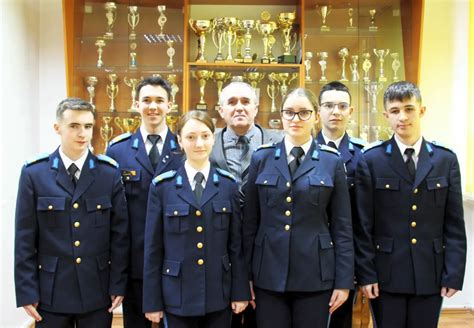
{"points": [[194, 271]]}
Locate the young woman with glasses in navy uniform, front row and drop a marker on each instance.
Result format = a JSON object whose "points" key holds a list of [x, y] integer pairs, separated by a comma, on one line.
{"points": [[297, 224]]}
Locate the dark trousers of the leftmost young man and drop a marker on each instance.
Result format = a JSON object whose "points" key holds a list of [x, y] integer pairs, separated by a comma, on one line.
{"points": [[97, 319]]}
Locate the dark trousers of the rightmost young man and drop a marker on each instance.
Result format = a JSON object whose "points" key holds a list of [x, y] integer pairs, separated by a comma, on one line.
{"points": [[406, 310]]}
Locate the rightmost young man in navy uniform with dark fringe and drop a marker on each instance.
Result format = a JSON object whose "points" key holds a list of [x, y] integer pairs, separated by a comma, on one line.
{"points": [[411, 239]]}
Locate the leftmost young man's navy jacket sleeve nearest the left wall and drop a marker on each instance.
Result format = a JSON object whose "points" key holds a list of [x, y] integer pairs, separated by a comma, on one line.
{"points": [[26, 235]]}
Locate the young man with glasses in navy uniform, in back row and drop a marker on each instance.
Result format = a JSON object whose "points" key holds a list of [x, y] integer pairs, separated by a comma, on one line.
{"points": [[335, 109]]}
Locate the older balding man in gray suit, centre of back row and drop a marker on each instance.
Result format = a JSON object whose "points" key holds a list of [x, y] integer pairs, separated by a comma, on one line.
{"points": [[234, 146]]}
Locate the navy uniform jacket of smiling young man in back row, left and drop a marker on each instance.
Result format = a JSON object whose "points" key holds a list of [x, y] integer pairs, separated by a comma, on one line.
{"points": [[137, 172]]}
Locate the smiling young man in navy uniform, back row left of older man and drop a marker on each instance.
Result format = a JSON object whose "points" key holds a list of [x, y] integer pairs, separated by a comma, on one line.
{"points": [[150, 151]]}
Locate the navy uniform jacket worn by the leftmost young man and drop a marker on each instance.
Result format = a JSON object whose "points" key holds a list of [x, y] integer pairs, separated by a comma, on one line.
{"points": [[70, 243]]}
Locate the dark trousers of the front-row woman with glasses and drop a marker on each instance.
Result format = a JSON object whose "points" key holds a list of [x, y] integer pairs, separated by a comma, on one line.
{"points": [[292, 309]]}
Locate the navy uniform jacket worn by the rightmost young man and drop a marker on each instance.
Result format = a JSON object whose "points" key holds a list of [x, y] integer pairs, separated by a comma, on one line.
{"points": [[411, 236]]}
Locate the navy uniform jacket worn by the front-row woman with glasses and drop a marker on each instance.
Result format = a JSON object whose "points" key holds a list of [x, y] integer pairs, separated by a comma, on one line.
{"points": [[298, 231]]}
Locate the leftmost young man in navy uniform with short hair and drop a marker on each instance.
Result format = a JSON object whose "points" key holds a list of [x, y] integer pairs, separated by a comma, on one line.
{"points": [[71, 229]]}
